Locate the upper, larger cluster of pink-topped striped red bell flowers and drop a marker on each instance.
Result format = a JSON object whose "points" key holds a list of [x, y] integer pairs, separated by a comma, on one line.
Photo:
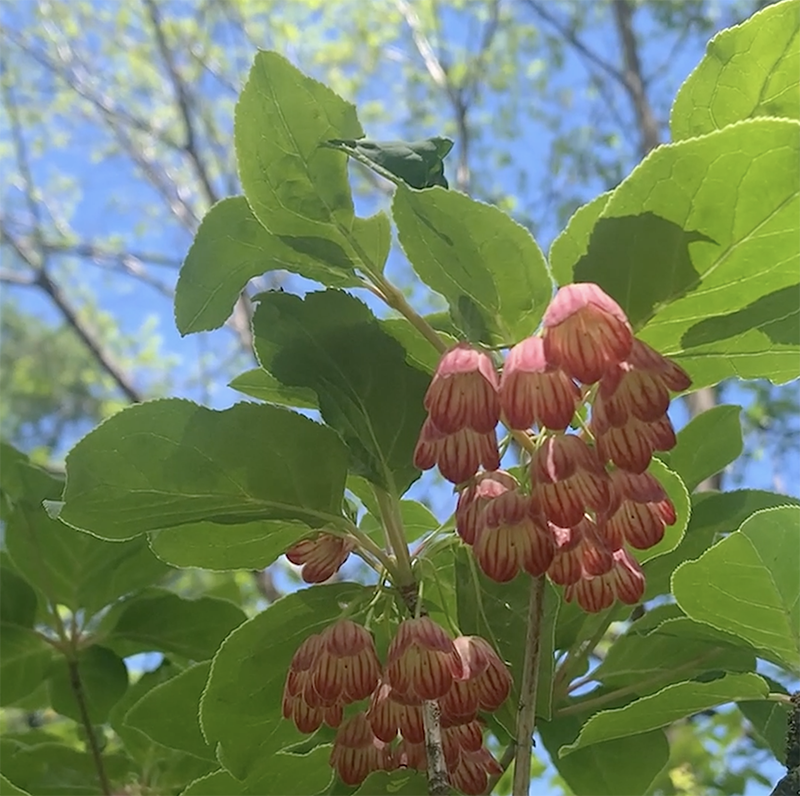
{"points": [[588, 497]]}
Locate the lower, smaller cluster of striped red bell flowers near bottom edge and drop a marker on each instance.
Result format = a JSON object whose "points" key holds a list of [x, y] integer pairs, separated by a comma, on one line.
{"points": [[340, 666]]}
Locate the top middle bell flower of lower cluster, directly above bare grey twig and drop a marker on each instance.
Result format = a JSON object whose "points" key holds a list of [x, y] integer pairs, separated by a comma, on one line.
{"points": [[422, 661]]}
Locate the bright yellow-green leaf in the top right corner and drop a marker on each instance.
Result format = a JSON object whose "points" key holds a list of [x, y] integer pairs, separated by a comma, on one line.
{"points": [[749, 70]]}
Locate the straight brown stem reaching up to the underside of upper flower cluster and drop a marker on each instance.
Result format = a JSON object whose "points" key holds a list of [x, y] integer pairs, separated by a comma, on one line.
{"points": [[526, 713]]}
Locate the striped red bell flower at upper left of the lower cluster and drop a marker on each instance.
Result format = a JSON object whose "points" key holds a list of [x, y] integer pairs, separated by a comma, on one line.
{"points": [[346, 668]]}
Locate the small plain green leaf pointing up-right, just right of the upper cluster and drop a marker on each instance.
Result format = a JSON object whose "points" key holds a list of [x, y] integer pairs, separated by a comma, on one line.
{"points": [[707, 444]]}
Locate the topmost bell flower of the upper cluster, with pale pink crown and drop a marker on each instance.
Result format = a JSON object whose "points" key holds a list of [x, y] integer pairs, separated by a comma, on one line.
{"points": [[586, 332]]}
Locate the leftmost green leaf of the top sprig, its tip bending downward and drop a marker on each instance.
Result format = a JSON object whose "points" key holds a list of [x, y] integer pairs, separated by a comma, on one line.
{"points": [[231, 248]]}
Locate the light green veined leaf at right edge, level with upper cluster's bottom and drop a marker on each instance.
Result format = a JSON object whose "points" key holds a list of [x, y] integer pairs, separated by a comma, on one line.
{"points": [[747, 585]]}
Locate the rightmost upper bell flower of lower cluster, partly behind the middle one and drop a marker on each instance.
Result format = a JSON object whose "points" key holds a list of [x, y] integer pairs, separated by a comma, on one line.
{"points": [[485, 683]]}
